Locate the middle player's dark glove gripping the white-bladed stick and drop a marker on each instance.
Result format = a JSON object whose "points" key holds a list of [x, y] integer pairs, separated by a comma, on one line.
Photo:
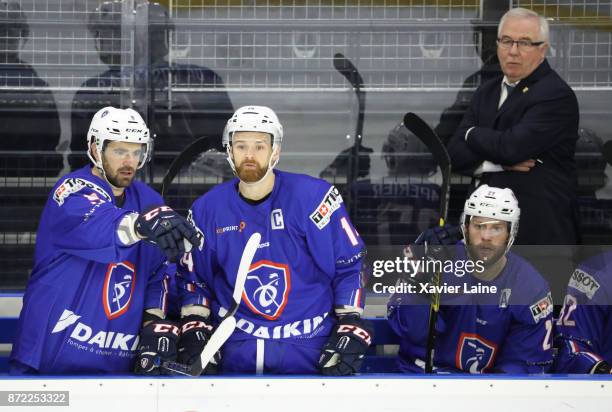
{"points": [[195, 334]]}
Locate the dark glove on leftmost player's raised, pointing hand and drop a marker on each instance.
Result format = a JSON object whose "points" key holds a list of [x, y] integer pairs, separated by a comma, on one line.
{"points": [[168, 230]]}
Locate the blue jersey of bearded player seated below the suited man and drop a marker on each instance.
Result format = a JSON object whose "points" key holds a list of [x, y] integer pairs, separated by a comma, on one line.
{"points": [[478, 332]]}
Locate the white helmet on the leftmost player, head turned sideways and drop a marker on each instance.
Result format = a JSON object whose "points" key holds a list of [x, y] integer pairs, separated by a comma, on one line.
{"points": [[121, 125]]}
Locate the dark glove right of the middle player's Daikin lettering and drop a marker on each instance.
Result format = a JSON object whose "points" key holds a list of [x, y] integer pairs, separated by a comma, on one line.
{"points": [[344, 351]]}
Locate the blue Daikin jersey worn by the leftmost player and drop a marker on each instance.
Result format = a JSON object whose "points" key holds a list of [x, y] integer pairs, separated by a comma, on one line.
{"points": [[83, 306]]}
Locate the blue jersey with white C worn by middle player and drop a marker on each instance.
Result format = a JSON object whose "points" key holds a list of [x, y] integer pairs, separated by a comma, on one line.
{"points": [[309, 260]]}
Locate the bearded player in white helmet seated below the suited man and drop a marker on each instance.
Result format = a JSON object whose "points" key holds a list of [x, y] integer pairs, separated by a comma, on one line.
{"points": [[501, 330]]}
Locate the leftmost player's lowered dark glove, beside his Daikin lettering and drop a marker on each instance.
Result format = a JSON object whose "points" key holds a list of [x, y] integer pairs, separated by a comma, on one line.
{"points": [[158, 342]]}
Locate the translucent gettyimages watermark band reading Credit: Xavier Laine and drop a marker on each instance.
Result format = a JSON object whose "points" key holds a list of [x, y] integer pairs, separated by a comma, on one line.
{"points": [[567, 270]]}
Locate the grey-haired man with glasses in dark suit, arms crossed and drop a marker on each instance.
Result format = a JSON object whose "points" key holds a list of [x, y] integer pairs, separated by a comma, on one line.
{"points": [[520, 132]]}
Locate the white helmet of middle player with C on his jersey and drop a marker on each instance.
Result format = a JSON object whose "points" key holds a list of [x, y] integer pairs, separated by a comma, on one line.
{"points": [[253, 119]]}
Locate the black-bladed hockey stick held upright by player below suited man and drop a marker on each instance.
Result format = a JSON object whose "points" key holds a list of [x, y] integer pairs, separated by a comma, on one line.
{"points": [[426, 135]]}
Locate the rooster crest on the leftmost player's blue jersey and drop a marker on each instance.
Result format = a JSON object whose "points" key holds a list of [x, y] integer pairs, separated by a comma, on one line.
{"points": [[118, 288]]}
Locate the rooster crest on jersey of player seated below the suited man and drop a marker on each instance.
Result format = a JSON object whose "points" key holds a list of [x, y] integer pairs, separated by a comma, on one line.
{"points": [[474, 353]]}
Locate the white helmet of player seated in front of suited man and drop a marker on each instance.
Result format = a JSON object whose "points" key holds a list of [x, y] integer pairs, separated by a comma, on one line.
{"points": [[494, 203]]}
